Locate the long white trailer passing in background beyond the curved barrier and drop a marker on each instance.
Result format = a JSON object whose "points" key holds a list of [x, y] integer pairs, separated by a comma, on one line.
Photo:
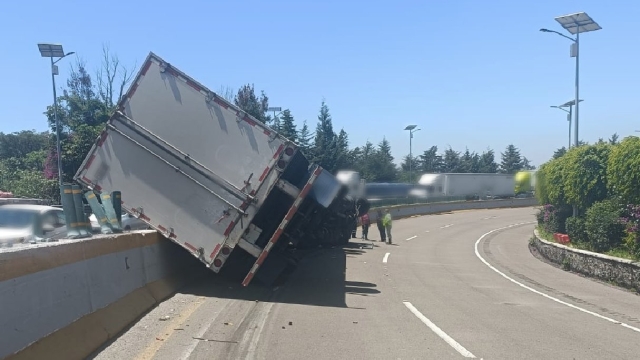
{"points": [[468, 185]]}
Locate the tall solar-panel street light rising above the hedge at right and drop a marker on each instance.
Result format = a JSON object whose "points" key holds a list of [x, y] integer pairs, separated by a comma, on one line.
{"points": [[575, 24]]}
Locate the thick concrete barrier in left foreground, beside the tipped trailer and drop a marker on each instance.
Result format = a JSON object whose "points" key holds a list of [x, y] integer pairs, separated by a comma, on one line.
{"points": [[64, 300]]}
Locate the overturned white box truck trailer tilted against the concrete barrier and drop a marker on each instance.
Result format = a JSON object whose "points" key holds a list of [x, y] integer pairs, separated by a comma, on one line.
{"points": [[213, 179]]}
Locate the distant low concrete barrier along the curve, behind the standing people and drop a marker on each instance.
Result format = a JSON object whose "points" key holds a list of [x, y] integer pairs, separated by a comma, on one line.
{"points": [[403, 211]]}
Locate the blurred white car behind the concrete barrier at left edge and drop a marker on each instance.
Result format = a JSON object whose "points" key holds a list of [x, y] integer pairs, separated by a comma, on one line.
{"points": [[21, 223]]}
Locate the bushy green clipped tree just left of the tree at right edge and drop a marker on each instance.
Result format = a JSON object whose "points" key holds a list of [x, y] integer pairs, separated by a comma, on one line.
{"points": [[584, 175]]}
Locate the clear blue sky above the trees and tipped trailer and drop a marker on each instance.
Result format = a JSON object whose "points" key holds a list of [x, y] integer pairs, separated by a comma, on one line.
{"points": [[473, 74]]}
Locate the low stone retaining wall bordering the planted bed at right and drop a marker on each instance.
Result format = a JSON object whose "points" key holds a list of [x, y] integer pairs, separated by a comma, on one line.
{"points": [[622, 272]]}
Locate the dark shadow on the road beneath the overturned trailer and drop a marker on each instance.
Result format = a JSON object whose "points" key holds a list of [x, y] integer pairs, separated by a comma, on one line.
{"points": [[319, 280]]}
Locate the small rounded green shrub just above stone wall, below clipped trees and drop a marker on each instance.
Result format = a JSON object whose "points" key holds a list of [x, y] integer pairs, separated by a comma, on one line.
{"points": [[603, 226]]}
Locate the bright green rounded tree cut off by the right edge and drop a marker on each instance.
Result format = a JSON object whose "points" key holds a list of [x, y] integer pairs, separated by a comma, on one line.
{"points": [[623, 170]]}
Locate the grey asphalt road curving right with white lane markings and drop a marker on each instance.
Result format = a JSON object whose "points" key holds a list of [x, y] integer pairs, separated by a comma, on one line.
{"points": [[448, 288]]}
